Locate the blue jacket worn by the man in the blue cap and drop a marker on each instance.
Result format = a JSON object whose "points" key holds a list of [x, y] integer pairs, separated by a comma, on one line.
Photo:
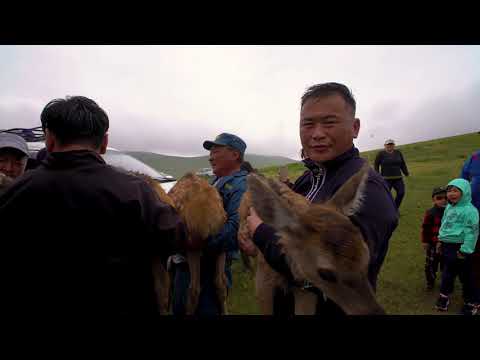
{"points": [[231, 189]]}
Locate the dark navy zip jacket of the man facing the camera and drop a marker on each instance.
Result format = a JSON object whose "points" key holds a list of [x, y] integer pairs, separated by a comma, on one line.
{"points": [[377, 219]]}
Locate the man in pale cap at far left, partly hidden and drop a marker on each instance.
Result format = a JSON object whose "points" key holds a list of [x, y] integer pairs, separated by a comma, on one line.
{"points": [[13, 157]]}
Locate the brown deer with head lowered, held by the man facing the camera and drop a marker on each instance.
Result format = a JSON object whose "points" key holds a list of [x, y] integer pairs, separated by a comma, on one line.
{"points": [[320, 242]]}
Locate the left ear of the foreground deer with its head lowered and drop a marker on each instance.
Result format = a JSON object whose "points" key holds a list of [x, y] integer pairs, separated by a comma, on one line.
{"points": [[271, 208]]}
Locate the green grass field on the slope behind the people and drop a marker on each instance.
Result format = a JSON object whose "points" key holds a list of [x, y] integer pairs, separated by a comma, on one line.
{"points": [[401, 287]]}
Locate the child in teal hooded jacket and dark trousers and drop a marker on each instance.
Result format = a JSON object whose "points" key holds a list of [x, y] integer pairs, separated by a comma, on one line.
{"points": [[458, 235]]}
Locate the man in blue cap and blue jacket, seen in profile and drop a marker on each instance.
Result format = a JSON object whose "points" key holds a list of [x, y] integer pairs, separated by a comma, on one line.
{"points": [[226, 156]]}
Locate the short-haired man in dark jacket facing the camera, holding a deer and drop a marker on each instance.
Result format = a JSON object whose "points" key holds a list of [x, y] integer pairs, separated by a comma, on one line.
{"points": [[327, 129]]}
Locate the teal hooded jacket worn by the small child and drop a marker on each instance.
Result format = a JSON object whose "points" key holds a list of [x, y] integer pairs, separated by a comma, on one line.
{"points": [[460, 221]]}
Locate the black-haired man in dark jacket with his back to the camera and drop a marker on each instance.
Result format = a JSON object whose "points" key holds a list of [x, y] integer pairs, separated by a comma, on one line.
{"points": [[89, 232]]}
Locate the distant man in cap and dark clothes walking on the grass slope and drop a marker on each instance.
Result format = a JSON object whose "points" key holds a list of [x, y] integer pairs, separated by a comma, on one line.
{"points": [[392, 166]]}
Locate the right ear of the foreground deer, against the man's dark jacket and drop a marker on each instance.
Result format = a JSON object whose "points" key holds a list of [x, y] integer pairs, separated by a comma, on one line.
{"points": [[349, 198]]}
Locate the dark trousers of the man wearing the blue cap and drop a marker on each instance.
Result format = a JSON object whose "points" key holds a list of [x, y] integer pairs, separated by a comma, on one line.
{"points": [[208, 304]]}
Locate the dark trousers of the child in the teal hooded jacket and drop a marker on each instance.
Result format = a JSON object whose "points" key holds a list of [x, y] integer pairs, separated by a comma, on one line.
{"points": [[453, 268]]}
